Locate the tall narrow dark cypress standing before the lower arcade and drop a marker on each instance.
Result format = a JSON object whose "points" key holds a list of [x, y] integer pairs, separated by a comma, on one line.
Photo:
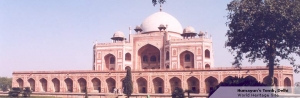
{"points": [[127, 83]]}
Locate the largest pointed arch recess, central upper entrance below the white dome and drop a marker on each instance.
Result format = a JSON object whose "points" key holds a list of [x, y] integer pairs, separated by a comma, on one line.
{"points": [[149, 56]]}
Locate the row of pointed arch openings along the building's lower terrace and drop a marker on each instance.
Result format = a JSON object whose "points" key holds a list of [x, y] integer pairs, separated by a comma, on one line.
{"points": [[193, 84]]}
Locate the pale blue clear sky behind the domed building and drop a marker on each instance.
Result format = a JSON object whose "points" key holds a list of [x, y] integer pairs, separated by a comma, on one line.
{"points": [[45, 35]]}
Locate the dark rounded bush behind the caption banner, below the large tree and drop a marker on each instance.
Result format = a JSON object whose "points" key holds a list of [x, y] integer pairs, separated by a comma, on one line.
{"points": [[237, 81]]}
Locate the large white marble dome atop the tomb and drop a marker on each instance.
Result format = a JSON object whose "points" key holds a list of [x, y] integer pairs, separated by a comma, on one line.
{"points": [[152, 22]]}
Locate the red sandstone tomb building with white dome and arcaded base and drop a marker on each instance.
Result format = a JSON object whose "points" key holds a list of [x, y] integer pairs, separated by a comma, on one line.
{"points": [[162, 56]]}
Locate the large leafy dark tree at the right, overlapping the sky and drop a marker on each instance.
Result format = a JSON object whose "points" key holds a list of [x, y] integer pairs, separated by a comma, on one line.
{"points": [[266, 30]]}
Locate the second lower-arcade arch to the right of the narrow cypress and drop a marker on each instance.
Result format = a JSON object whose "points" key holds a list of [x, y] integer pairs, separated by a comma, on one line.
{"points": [[158, 85]]}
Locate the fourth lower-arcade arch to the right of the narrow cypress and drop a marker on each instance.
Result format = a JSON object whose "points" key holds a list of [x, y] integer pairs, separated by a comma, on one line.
{"points": [[193, 84]]}
